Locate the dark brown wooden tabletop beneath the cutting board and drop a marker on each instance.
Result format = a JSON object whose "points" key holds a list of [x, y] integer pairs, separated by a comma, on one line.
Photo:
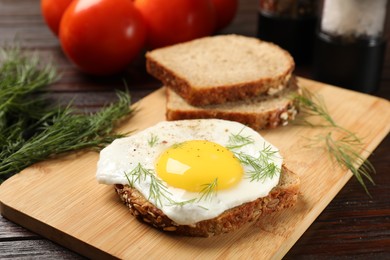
{"points": [[353, 226]]}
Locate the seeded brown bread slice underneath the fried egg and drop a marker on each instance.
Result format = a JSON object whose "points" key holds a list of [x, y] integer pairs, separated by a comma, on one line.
{"points": [[282, 196]]}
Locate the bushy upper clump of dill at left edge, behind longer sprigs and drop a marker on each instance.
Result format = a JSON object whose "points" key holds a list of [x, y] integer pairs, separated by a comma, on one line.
{"points": [[21, 78]]}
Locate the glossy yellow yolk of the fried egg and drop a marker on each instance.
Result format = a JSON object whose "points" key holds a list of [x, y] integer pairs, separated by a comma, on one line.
{"points": [[193, 164]]}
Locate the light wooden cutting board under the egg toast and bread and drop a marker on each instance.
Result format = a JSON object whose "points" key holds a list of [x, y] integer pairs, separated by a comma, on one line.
{"points": [[61, 200]]}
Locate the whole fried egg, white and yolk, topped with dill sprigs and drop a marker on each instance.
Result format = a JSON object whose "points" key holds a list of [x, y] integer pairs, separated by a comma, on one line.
{"points": [[193, 170]]}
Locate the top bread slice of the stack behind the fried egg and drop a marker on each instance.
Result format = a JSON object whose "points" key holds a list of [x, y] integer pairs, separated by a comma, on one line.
{"points": [[217, 69]]}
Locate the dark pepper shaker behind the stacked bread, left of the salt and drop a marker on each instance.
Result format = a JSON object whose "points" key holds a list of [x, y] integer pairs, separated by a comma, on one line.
{"points": [[290, 24]]}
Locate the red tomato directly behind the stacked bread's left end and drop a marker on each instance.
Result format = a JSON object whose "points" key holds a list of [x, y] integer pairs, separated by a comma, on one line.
{"points": [[174, 21]]}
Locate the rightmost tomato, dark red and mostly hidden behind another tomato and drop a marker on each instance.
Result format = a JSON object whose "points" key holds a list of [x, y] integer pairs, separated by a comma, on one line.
{"points": [[225, 11]]}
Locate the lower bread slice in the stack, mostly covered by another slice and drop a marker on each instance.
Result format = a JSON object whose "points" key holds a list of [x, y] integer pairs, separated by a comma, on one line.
{"points": [[261, 112]]}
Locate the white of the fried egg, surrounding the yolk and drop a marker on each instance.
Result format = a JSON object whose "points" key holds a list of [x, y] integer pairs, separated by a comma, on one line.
{"points": [[124, 154]]}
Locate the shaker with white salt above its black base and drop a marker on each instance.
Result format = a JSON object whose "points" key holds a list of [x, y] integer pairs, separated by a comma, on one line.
{"points": [[350, 44]]}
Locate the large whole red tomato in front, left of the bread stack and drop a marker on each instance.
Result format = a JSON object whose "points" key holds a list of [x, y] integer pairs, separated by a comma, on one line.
{"points": [[102, 36]]}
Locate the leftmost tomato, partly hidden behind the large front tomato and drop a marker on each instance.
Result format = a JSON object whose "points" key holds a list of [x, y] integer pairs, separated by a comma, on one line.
{"points": [[52, 11]]}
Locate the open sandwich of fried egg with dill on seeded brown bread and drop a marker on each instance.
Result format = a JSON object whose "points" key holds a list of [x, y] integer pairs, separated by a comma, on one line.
{"points": [[199, 177]]}
